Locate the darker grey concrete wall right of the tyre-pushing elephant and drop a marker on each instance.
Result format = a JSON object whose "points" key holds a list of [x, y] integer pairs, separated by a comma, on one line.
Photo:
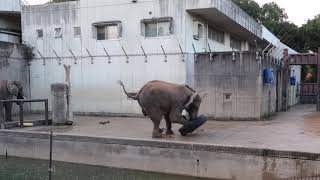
{"points": [[242, 78]]}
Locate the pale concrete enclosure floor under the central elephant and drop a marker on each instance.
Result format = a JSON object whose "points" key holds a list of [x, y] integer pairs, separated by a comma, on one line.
{"points": [[295, 130]]}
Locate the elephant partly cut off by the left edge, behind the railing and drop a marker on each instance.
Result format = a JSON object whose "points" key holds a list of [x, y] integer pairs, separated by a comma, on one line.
{"points": [[8, 90]]}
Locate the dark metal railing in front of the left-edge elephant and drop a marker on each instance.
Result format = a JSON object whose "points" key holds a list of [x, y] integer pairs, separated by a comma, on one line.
{"points": [[20, 102]]}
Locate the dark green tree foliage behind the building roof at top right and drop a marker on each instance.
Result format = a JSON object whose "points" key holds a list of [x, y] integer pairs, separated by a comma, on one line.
{"points": [[275, 18]]}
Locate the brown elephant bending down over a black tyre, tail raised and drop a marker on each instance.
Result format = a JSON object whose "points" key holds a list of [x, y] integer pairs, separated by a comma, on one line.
{"points": [[159, 98]]}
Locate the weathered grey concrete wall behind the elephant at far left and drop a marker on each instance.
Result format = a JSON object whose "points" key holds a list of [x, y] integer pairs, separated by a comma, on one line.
{"points": [[14, 67]]}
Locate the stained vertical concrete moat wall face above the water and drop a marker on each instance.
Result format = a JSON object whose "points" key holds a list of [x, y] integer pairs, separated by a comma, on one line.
{"points": [[217, 162]]}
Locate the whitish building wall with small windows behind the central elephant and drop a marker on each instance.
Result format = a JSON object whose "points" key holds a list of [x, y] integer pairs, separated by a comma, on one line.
{"points": [[95, 87]]}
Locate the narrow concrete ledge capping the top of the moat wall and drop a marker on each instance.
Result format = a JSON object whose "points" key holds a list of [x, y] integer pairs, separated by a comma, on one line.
{"points": [[167, 144]]}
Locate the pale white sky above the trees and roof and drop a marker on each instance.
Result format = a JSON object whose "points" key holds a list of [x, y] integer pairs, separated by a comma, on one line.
{"points": [[298, 11]]}
